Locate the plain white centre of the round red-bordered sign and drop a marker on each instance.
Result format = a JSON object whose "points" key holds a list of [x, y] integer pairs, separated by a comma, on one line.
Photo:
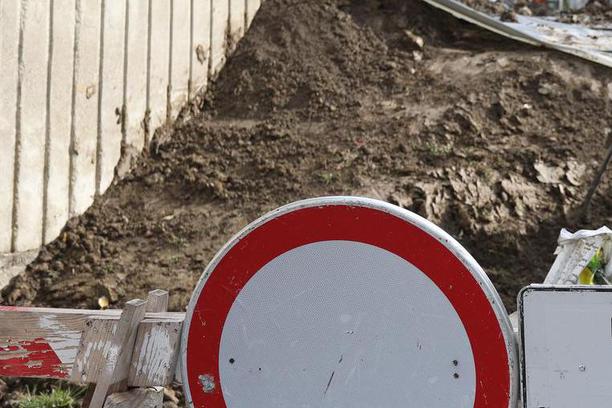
{"points": [[342, 324]]}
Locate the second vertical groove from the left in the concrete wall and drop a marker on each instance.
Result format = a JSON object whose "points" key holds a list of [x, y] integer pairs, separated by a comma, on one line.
{"points": [[45, 217]]}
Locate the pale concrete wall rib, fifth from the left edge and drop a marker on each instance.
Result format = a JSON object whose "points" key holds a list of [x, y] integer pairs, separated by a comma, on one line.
{"points": [[111, 93]]}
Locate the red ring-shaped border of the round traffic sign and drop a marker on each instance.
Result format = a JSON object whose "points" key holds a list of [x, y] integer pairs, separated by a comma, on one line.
{"points": [[351, 223]]}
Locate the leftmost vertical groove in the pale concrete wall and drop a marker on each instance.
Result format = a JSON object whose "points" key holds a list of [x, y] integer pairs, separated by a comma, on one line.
{"points": [[17, 160]]}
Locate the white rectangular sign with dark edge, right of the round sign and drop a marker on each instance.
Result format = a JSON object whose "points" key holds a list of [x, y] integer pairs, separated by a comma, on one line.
{"points": [[567, 346]]}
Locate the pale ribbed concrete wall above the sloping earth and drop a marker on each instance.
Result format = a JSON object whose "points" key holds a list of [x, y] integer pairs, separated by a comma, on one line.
{"points": [[83, 82]]}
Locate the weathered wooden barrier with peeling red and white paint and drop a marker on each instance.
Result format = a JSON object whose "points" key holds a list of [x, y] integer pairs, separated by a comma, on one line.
{"points": [[114, 349]]}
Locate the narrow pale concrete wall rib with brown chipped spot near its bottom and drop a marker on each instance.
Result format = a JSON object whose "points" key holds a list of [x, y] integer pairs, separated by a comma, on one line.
{"points": [[200, 52]]}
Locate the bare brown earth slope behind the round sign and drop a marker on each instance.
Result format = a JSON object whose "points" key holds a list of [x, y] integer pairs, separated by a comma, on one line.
{"points": [[494, 141]]}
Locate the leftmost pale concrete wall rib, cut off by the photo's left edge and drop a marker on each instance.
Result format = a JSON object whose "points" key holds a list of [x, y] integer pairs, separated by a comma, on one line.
{"points": [[9, 43]]}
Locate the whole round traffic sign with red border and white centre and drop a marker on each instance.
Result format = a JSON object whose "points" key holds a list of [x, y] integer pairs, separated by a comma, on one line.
{"points": [[346, 302]]}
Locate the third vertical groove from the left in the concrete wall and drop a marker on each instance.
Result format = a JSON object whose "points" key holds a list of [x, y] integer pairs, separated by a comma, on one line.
{"points": [[75, 63]]}
